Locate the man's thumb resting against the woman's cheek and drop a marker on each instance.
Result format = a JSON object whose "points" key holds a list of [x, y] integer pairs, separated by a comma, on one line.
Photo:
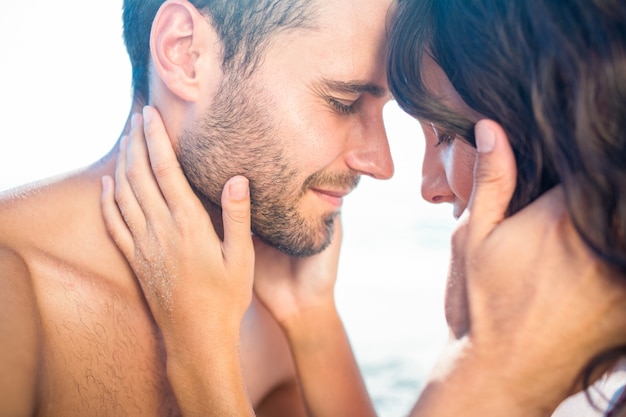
{"points": [[495, 174]]}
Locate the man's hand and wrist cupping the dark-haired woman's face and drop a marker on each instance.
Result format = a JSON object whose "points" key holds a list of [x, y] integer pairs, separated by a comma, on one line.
{"points": [[528, 303]]}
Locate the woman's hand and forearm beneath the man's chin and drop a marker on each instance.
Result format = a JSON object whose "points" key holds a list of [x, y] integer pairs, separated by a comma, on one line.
{"points": [[299, 293]]}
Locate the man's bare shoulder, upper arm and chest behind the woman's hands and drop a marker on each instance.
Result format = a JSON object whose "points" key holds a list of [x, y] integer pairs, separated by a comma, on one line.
{"points": [[78, 337]]}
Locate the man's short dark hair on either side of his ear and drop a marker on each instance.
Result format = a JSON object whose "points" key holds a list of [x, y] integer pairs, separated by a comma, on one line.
{"points": [[244, 27]]}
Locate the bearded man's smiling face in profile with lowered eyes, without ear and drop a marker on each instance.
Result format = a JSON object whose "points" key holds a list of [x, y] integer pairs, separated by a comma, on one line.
{"points": [[302, 128]]}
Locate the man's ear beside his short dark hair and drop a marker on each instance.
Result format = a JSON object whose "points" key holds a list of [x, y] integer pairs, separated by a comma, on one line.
{"points": [[185, 50]]}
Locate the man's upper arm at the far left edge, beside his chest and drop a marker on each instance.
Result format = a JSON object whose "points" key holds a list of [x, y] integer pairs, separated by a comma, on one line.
{"points": [[19, 337]]}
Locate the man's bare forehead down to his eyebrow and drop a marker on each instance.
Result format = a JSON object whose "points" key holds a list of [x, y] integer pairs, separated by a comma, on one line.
{"points": [[342, 50]]}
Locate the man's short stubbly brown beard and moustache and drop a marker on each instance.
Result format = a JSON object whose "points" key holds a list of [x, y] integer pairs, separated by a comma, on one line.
{"points": [[238, 137]]}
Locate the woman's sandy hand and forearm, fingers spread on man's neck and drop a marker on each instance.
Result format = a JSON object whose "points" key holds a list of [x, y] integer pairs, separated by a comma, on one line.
{"points": [[197, 286]]}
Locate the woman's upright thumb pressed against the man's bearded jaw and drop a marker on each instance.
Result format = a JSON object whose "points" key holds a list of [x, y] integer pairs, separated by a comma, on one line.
{"points": [[236, 217]]}
